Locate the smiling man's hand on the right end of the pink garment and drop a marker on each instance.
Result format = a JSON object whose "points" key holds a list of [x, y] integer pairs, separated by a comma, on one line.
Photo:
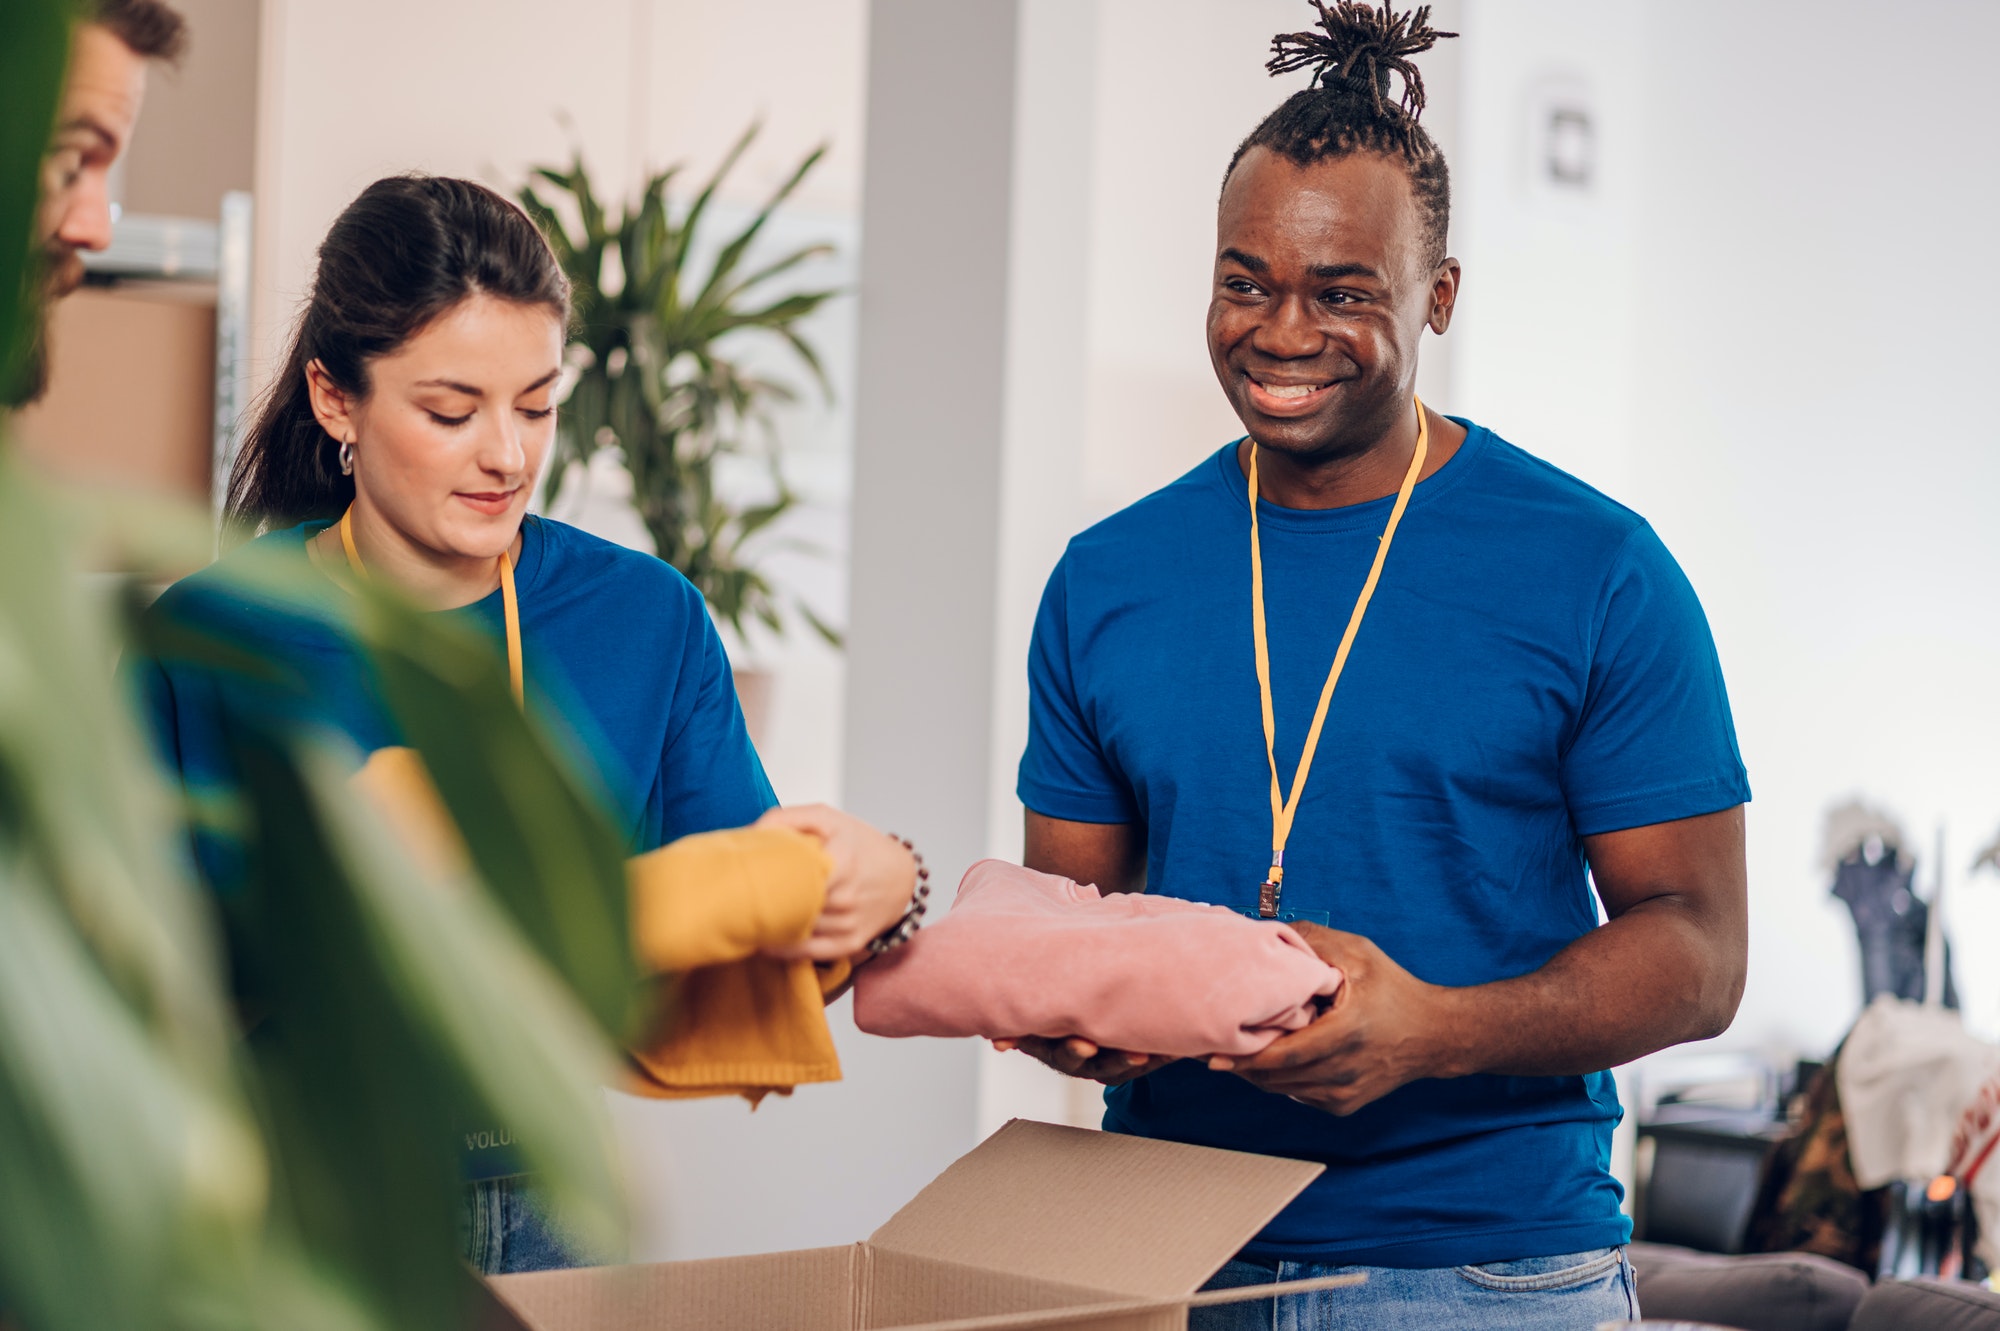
{"points": [[1383, 1030]]}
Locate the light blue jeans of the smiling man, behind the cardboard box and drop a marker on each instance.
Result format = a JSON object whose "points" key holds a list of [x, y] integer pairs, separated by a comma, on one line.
{"points": [[1537, 1294]]}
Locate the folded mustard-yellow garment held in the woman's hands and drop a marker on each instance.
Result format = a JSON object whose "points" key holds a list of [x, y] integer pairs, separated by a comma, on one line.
{"points": [[727, 1020]]}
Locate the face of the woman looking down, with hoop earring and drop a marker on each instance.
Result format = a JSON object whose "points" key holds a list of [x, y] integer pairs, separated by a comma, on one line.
{"points": [[455, 429]]}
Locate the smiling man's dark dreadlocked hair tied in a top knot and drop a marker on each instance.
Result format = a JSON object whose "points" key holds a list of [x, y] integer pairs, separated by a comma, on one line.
{"points": [[1349, 107]]}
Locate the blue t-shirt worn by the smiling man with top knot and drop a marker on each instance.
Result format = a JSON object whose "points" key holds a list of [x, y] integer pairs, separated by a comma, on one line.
{"points": [[1533, 670]]}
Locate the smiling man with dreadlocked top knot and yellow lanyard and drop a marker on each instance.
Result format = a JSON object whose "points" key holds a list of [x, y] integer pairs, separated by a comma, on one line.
{"points": [[1385, 674]]}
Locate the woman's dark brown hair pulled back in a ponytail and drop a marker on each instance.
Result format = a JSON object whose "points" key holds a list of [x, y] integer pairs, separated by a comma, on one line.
{"points": [[403, 255]]}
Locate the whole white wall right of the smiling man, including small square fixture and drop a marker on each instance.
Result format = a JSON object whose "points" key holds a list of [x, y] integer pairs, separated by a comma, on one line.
{"points": [[1761, 331]]}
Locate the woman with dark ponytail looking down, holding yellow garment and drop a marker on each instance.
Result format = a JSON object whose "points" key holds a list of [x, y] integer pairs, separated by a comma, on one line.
{"points": [[403, 441]]}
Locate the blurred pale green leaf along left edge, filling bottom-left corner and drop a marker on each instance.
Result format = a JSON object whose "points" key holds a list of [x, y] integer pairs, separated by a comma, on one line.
{"points": [[133, 1160]]}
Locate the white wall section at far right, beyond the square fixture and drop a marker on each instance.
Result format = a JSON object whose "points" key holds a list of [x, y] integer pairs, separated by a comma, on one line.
{"points": [[1813, 343]]}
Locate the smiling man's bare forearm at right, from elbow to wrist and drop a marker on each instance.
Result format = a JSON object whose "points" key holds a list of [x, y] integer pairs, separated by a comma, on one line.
{"points": [[1647, 980]]}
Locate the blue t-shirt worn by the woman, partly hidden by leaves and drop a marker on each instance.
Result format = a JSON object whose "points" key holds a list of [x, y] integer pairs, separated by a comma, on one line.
{"points": [[617, 649]]}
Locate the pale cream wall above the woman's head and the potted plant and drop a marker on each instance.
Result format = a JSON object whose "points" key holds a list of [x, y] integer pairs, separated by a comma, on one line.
{"points": [[485, 89]]}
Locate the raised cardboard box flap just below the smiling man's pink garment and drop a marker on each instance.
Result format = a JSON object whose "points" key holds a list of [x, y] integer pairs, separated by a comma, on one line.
{"points": [[1097, 1210]]}
